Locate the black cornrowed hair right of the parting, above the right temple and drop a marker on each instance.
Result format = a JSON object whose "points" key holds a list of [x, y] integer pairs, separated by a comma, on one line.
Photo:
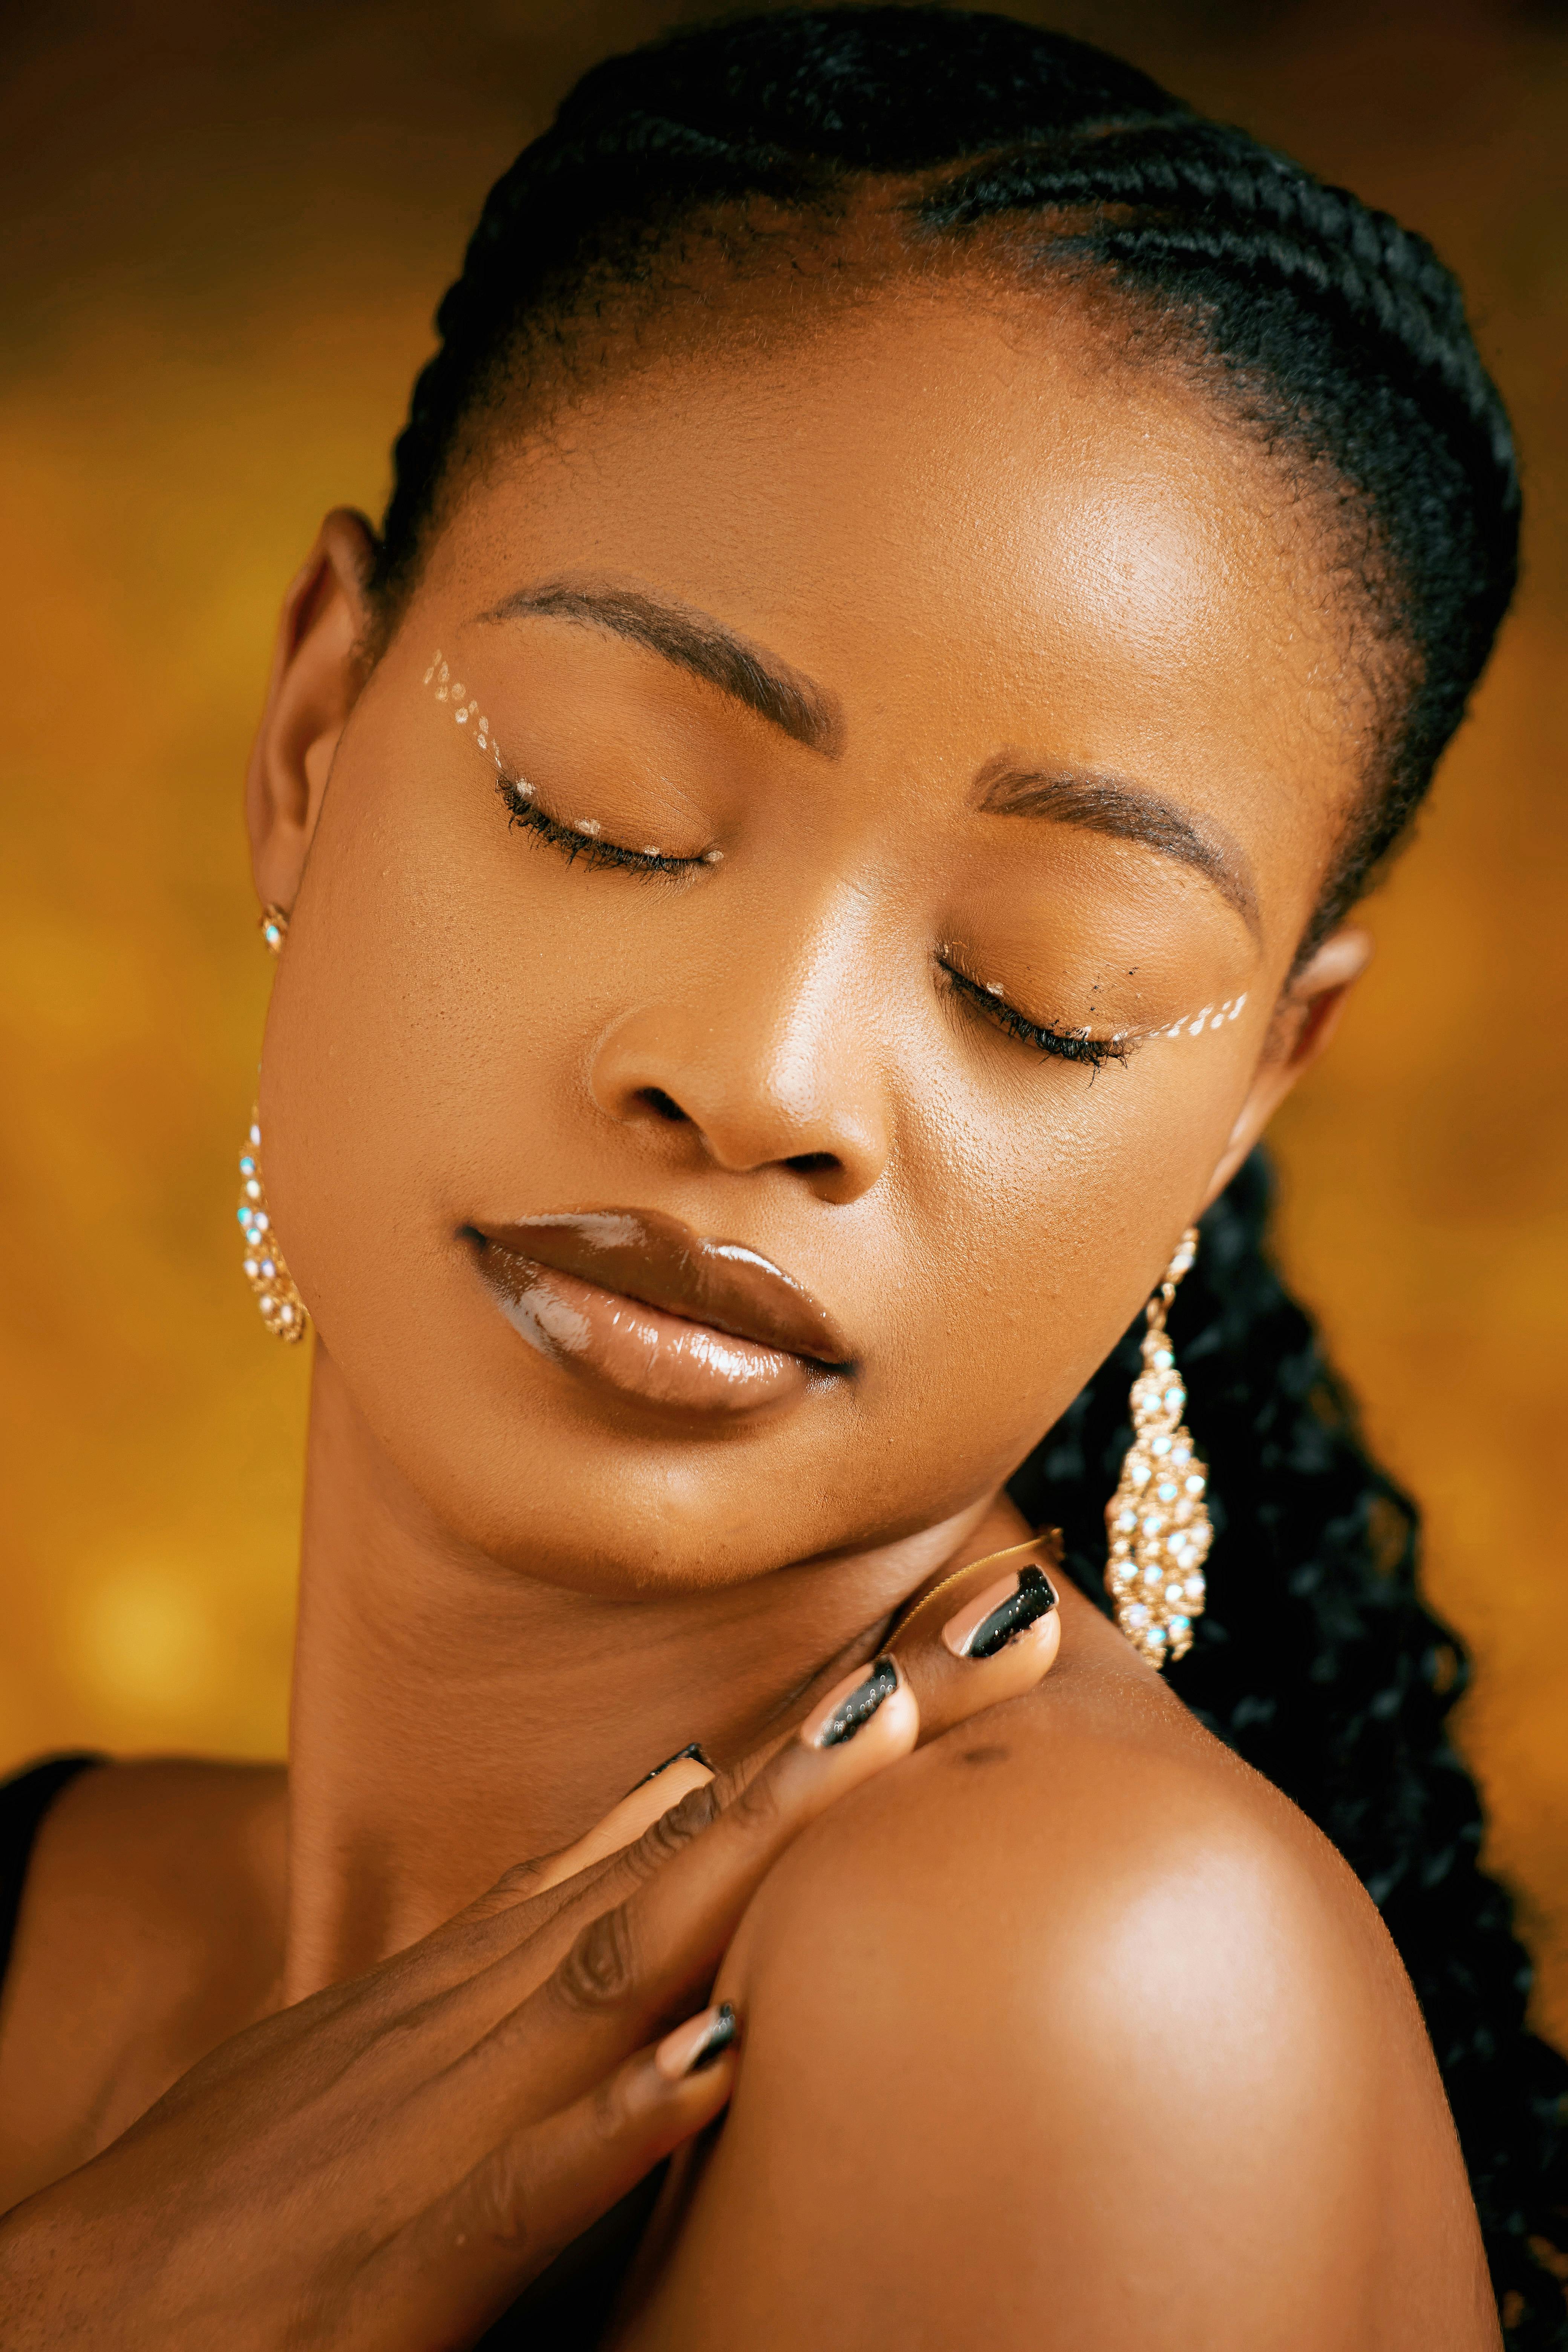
{"points": [[1351, 342]]}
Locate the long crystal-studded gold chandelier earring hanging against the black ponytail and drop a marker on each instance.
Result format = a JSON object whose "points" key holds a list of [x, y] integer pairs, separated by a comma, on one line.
{"points": [[1158, 1523]]}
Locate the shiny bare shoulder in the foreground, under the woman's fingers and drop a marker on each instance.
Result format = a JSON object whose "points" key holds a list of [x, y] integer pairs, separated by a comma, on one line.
{"points": [[1073, 2031]]}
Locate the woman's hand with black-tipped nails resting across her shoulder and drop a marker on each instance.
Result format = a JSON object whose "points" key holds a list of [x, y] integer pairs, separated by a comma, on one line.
{"points": [[387, 2165]]}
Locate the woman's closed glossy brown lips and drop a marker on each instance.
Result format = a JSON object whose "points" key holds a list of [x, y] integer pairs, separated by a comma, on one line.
{"points": [[659, 1311]]}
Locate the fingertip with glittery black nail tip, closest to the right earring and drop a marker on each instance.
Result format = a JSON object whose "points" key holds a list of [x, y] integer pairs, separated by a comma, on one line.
{"points": [[986, 1633]]}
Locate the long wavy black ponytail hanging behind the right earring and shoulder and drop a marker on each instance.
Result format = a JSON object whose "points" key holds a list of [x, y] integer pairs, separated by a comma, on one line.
{"points": [[1320, 1664]]}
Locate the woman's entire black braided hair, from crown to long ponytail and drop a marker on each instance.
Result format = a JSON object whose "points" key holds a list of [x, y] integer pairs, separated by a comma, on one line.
{"points": [[1341, 342]]}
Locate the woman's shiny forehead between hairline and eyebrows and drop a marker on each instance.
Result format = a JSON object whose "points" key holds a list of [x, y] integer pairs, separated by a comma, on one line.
{"points": [[977, 519]]}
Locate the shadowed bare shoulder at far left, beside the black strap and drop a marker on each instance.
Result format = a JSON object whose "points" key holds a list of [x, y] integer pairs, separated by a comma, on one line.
{"points": [[149, 1930]]}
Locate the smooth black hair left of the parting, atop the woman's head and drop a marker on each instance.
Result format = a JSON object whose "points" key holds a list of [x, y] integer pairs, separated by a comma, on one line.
{"points": [[770, 107]]}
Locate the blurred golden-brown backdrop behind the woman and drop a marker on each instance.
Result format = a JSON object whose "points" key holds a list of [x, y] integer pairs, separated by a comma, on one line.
{"points": [[225, 236]]}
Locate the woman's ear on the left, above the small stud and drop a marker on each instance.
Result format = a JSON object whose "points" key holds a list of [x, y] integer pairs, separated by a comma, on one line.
{"points": [[319, 669]]}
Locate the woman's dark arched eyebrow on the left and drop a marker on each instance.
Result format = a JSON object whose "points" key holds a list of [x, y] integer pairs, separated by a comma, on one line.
{"points": [[695, 643]]}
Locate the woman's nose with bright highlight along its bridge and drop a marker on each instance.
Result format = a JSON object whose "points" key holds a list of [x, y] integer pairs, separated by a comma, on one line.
{"points": [[763, 1062]]}
